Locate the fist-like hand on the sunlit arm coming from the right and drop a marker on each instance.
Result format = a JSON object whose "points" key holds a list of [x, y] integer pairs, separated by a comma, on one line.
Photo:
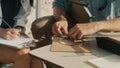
{"points": [[79, 30]]}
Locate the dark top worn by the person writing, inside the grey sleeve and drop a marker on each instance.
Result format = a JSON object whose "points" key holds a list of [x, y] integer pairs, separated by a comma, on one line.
{"points": [[10, 9]]}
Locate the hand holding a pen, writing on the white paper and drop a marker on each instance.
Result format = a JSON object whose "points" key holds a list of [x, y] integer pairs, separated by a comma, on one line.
{"points": [[10, 33]]}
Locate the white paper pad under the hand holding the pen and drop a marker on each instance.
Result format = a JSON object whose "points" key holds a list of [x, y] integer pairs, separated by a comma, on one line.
{"points": [[18, 43]]}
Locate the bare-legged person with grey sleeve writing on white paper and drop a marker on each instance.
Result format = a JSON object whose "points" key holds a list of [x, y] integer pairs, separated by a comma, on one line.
{"points": [[13, 17]]}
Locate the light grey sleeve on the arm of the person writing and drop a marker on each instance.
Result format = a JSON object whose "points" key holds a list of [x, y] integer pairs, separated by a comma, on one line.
{"points": [[21, 18]]}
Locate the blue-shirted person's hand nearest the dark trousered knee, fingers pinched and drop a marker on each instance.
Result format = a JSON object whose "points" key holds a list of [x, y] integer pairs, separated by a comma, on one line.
{"points": [[60, 28]]}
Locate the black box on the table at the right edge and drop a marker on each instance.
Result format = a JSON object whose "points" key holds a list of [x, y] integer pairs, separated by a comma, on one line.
{"points": [[108, 44]]}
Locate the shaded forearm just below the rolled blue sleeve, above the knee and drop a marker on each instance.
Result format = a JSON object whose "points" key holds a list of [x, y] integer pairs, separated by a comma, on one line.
{"points": [[58, 14]]}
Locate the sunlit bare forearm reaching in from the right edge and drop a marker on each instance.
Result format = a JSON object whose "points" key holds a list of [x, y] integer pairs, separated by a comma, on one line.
{"points": [[110, 25]]}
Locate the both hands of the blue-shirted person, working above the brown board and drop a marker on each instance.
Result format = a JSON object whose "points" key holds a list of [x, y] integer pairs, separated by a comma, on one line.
{"points": [[77, 32]]}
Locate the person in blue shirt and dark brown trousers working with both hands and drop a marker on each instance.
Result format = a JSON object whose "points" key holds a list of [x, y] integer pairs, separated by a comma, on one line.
{"points": [[77, 18]]}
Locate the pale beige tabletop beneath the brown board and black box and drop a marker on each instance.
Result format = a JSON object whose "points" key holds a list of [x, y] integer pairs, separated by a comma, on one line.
{"points": [[68, 59]]}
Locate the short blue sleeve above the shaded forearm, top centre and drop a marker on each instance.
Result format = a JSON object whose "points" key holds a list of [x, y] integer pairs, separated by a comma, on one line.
{"points": [[63, 4]]}
